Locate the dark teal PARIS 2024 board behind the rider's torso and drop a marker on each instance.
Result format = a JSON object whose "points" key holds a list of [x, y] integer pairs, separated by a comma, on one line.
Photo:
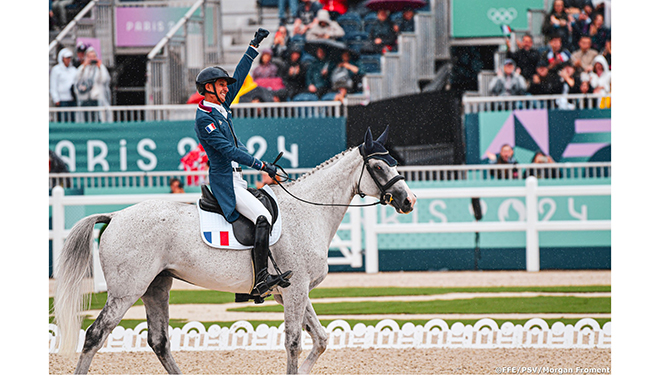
{"points": [[159, 146]]}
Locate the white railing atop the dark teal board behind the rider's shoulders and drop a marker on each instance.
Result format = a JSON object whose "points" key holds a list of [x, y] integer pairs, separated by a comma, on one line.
{"points": [[320, 109]]}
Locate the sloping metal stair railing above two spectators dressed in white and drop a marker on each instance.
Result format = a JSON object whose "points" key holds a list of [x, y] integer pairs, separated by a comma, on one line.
{"points": [[99, 25]]}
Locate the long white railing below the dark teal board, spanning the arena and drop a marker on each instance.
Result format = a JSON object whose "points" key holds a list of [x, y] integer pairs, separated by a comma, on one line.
{"points": [[563, 171]]}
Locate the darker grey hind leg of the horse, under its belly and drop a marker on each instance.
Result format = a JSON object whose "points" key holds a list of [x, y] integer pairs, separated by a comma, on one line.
{"points": [[156, 304]]}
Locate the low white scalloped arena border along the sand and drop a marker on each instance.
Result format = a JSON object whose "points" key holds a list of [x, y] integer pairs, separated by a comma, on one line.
{"points": [[436, 333]]}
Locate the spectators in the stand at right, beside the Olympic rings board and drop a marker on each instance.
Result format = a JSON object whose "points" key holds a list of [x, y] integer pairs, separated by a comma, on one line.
{"points": [[576, 57]]}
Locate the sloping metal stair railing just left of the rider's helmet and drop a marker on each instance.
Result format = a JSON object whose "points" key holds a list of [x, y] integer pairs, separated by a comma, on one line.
{"points": [[174, 62]]}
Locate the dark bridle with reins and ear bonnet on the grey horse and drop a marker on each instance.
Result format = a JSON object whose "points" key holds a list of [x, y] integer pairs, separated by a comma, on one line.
{"points": [[385, 197]]}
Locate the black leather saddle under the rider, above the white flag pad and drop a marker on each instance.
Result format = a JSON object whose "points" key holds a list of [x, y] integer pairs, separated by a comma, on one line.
{"points": [[243, 228]]}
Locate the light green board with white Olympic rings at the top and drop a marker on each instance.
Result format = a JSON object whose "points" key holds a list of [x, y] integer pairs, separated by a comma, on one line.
{"points": [[479, 18]]}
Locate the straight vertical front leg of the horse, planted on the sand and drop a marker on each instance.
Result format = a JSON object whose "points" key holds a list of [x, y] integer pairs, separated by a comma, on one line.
{"points": [[295, 300]]}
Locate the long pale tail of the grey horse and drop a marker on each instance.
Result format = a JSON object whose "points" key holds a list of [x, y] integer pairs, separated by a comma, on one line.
{"points": [[72, 267]]}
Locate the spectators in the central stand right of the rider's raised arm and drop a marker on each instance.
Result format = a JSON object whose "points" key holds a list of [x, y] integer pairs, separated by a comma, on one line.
{"points": [[322, 49]]}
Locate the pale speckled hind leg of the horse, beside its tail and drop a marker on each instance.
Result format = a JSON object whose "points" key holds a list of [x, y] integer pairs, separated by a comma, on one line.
{"points": [[98, 332]]}
